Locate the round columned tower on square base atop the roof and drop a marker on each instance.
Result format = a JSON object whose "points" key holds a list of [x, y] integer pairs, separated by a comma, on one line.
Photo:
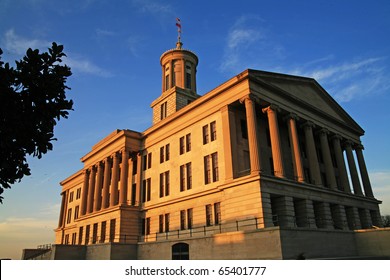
{"points": [[178, 82]]}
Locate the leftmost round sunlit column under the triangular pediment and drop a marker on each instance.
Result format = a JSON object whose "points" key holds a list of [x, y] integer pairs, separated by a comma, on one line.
{"points": [[252, 134]]}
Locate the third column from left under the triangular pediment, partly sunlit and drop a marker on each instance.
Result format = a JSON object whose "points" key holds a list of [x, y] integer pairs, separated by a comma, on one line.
{"points": [[295, 150]]}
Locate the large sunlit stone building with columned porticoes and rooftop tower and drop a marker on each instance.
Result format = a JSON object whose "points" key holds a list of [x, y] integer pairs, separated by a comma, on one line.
{"points": [[264, 166]]}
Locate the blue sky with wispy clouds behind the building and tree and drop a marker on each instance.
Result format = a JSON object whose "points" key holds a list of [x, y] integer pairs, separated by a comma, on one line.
{"points": [[114, 47]]}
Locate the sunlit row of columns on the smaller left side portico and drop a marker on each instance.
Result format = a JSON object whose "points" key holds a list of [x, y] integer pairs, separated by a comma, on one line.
{"points": [[106, 183]]}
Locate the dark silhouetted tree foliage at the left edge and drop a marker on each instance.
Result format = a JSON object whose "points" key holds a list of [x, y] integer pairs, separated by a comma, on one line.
{"points": [[32, 100]]}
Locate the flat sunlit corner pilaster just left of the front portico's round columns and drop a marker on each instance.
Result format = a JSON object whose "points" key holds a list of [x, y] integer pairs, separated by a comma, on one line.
{"points": [[229, 142]]}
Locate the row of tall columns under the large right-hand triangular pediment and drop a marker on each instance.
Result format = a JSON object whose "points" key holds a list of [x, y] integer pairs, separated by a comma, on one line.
{"points": [[326, 139]]}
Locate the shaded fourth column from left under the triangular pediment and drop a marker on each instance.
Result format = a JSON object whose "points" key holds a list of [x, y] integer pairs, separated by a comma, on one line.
{"points": [[314, 167]]}
